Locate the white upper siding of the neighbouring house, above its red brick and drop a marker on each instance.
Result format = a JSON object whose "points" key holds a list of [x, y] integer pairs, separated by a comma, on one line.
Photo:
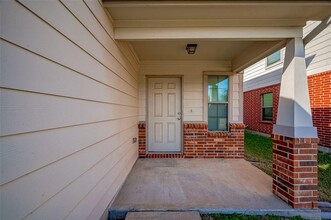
{"points": [[318, 59]]}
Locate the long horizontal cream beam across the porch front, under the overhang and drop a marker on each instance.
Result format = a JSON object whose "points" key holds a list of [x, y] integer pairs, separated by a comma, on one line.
{"points": [[230, 33]]}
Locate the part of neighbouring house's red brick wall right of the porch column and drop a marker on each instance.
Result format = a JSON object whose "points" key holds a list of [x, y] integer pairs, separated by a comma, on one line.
{"points": [[320, 101]]}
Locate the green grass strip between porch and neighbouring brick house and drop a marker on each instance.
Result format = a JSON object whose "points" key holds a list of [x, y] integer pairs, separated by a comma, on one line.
{"points": [[258, 150]]}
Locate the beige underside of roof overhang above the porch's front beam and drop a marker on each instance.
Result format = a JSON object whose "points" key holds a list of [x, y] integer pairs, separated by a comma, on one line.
{"points": [[216, 13]]}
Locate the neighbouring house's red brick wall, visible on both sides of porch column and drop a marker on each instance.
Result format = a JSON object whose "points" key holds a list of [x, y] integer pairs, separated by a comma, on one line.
{"points": [[320, 100]]}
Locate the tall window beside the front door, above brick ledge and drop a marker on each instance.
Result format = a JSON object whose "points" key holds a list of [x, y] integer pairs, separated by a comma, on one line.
{"points": [[218, 89]]}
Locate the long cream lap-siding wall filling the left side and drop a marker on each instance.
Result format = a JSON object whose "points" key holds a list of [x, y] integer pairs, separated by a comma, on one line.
{"points": [[69, 110]]}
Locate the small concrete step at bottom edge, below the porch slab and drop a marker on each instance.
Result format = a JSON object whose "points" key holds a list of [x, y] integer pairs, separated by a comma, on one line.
{"points": [[163, 216]]}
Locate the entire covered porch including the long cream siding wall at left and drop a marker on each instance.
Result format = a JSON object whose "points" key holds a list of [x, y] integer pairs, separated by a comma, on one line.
{"points": [[76, 82]]}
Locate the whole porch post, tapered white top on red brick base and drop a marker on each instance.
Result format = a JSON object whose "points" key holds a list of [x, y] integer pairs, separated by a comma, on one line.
{"points": [[294, 137]]}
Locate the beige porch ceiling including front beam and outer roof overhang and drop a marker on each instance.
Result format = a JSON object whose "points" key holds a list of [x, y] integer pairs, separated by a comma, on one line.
{"points": [[242, 32]]}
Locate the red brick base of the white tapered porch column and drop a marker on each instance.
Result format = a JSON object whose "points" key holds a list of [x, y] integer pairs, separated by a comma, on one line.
{"points": [[295, 170]]}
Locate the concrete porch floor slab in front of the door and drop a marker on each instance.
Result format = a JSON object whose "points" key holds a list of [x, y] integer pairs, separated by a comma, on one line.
{"points": [[204, 185]]}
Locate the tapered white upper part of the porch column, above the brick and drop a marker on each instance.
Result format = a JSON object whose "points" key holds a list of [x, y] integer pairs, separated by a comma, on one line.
{"points": [[294, 117]]}
